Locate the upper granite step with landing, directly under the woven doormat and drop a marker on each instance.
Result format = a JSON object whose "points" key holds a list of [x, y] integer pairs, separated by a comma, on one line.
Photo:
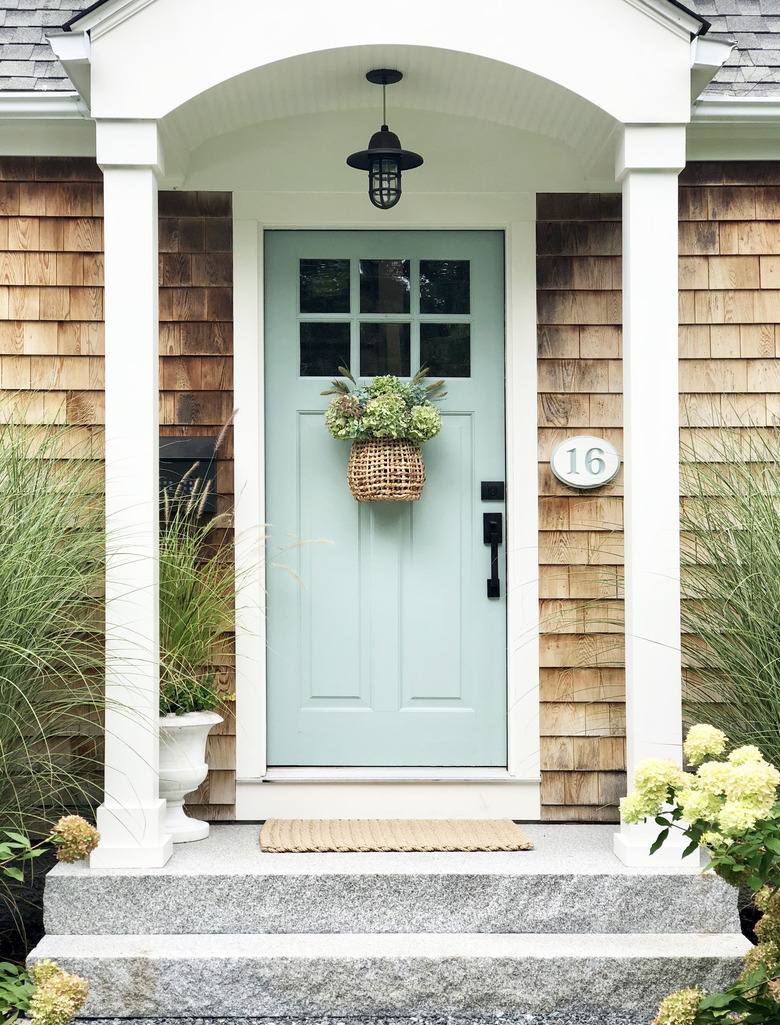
{"points": [[226, 886]]}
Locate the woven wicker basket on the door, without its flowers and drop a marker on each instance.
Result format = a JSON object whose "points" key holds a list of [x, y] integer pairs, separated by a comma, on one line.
{"points": [[386, 470]]}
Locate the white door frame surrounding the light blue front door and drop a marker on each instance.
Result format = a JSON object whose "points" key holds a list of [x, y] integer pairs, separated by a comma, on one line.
{"points": [[353, 793]]}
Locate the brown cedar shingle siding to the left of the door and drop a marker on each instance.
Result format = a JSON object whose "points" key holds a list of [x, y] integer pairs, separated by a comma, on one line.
{"points": [[52, 335]]}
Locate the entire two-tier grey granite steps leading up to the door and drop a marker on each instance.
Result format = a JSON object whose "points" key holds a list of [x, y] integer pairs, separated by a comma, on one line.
{"points": [[225, 930]]}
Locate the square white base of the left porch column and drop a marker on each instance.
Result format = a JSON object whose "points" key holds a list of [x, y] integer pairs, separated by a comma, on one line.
{"points": [[133, 838]]}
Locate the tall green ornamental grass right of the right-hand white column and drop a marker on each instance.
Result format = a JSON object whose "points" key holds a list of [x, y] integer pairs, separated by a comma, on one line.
{"points": [[731, 584]]}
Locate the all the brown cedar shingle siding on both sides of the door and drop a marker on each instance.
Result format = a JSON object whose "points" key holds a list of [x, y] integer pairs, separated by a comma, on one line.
{"points": [[52, 344]]}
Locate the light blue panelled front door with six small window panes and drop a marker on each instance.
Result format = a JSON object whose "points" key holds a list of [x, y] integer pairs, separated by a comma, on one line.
{"points": [[384, 647]]}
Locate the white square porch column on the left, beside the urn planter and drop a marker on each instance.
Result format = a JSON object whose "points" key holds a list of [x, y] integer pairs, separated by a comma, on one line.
{"points": [[132, 821]]}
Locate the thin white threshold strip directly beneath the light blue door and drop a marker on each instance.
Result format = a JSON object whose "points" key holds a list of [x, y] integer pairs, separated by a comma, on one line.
{"points": [[388, 774]]}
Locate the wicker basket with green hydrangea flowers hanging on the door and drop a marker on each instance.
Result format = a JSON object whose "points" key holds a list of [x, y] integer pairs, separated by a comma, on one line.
{"points": [[387, 421]]}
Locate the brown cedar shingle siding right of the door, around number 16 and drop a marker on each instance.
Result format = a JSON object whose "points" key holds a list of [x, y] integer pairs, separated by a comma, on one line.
{"points": [[729, 372]]}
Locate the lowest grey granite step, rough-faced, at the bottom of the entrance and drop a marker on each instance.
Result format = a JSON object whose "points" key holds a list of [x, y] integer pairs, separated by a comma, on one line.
{"points": [[354, 975]]}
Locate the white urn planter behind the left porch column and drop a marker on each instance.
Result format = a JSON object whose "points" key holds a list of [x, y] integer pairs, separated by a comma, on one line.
{"points": [[183, 769]]}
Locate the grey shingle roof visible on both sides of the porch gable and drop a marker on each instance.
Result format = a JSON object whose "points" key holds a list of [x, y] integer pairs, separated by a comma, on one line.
{"points": [[27, 62]]}
